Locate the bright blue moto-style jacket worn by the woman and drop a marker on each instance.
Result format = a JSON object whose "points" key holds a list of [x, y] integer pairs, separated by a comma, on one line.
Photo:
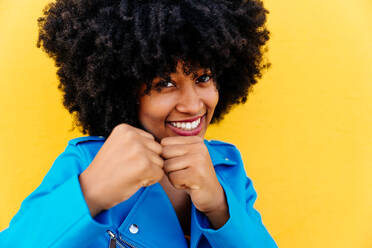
{"points": [[56, 214]]}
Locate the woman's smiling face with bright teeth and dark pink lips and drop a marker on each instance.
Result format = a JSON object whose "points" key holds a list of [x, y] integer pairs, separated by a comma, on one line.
{"points": [[180, 105]]}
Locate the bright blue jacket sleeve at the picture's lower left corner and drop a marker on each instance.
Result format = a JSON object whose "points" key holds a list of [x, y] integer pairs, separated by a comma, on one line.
{"points": [[55, 214]]}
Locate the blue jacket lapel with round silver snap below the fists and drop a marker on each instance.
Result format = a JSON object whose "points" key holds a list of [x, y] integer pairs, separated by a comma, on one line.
{"points": [[152, 222]]}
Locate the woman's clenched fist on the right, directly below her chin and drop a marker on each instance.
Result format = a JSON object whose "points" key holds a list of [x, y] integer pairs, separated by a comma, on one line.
{"points": [[189, 167]]}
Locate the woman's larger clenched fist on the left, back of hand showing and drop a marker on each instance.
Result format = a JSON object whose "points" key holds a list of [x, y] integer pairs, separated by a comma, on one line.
{"points": [[129, 159]]}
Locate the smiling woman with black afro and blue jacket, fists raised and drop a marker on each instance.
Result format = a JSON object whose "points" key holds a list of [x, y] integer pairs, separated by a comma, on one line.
{"points": [[145, 79]]}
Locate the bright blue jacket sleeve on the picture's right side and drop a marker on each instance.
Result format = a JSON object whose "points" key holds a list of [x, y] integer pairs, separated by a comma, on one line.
{"points": [[244, 228]]}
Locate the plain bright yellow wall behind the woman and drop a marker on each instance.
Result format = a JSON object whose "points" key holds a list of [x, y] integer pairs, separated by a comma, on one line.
{"points": [[305, 133]]}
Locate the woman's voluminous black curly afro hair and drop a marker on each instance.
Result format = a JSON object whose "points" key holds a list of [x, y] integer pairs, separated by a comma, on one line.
{"points": [[105, 50]]}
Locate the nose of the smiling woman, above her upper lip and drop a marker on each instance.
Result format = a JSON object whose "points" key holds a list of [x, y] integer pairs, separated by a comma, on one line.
{"points": [[189, 101]]}
